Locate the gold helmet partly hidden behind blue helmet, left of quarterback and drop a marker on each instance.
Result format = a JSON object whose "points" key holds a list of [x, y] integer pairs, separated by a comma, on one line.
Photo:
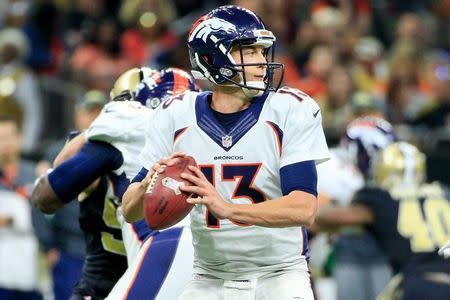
{"points": [[125, 86]]}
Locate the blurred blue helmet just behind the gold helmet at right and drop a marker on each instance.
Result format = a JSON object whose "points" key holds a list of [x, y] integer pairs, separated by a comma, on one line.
{"points": [[364, 138]]}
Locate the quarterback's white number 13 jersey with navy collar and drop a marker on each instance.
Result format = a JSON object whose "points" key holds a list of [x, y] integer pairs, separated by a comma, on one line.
{"points": [[244, 164]]}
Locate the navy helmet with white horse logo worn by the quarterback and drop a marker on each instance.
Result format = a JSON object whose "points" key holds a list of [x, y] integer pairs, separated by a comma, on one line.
{"points": [[215, 34]]}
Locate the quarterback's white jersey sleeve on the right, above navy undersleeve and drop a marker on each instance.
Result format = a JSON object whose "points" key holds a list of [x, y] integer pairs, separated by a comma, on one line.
{"points": [[304, 138]]}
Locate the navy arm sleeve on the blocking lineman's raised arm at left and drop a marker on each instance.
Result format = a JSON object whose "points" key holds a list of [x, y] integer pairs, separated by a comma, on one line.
{"points": [[74, 175]]}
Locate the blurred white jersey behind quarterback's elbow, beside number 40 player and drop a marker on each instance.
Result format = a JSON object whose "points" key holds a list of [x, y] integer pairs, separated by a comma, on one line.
{"points": [[339, 178]]}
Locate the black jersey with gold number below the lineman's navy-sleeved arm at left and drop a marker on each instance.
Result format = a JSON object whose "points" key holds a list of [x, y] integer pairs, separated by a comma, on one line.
{"points": [[105, 260]]}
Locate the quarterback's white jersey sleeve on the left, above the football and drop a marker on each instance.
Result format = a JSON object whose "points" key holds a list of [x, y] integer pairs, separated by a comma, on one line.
{"points": [[158, 138]]}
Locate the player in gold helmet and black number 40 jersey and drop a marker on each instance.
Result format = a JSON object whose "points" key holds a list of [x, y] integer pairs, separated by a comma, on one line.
{"points": [[409, 218]]}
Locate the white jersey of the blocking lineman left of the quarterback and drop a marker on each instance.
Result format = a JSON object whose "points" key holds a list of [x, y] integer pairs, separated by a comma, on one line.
{"points": [[122, 124]]}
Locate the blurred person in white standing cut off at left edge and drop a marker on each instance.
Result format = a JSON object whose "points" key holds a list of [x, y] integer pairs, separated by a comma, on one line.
{"points": [[18, 244]]}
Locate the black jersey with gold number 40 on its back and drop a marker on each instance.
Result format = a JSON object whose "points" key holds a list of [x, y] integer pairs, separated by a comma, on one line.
{"points": [[410, 225]]}
